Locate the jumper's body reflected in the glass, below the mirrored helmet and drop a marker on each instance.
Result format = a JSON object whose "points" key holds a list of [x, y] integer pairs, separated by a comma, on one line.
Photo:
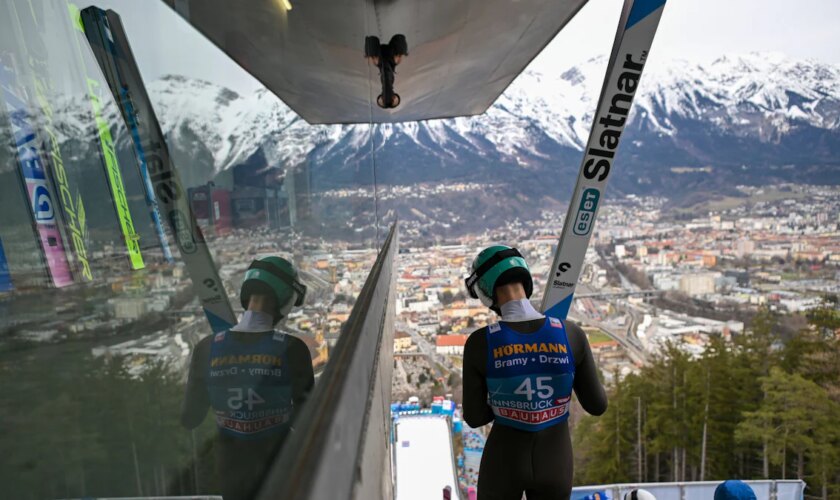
{"points": [[255, 384]]}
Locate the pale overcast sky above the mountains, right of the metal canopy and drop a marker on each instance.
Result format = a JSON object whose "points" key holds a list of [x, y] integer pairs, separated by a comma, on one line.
{"points": [[703, 30]]}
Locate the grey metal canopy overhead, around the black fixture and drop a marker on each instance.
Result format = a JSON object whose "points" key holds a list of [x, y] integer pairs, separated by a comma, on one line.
{"points": [[462, 53]]}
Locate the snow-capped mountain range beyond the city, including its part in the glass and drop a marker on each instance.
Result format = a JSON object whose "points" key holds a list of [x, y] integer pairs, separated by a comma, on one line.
{"points": [[747, 111]]}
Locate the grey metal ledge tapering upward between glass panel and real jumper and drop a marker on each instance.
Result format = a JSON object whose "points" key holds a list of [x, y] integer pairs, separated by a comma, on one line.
{"points": [[341, 448]]}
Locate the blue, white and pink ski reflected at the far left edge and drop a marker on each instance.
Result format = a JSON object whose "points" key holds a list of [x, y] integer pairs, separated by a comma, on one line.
{"points": [[34, 177]]}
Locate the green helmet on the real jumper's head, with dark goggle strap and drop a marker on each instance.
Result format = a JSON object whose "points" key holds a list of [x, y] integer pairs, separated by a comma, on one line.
{"points": [[496, 266]]}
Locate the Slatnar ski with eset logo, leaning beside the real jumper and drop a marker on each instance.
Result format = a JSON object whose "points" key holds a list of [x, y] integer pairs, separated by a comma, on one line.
{"points": [[636, 29]]}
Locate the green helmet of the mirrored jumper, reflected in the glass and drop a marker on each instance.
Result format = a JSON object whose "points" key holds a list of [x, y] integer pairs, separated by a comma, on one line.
{"points": [[277, 278]]}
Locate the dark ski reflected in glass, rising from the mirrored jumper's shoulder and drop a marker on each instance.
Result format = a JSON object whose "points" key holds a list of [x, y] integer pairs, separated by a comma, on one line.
{"points": [[113, 52]]}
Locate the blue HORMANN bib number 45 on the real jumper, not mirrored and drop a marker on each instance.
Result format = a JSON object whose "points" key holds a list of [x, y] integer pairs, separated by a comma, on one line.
{"points": [[530, 375]]}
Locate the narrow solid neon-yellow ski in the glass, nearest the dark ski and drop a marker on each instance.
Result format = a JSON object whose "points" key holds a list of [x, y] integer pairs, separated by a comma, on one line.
{"points": [[108, 149]]}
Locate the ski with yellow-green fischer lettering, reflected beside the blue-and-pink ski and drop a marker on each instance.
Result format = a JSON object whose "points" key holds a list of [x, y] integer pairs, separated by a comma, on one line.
{"points": [[30, 40]]}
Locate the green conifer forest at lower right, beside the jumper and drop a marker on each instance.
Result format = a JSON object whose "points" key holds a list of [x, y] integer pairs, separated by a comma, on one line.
{"points": [[764, 405]]}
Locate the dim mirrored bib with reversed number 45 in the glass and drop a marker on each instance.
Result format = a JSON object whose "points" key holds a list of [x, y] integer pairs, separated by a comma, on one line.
{"points": [[250, 390]]}
